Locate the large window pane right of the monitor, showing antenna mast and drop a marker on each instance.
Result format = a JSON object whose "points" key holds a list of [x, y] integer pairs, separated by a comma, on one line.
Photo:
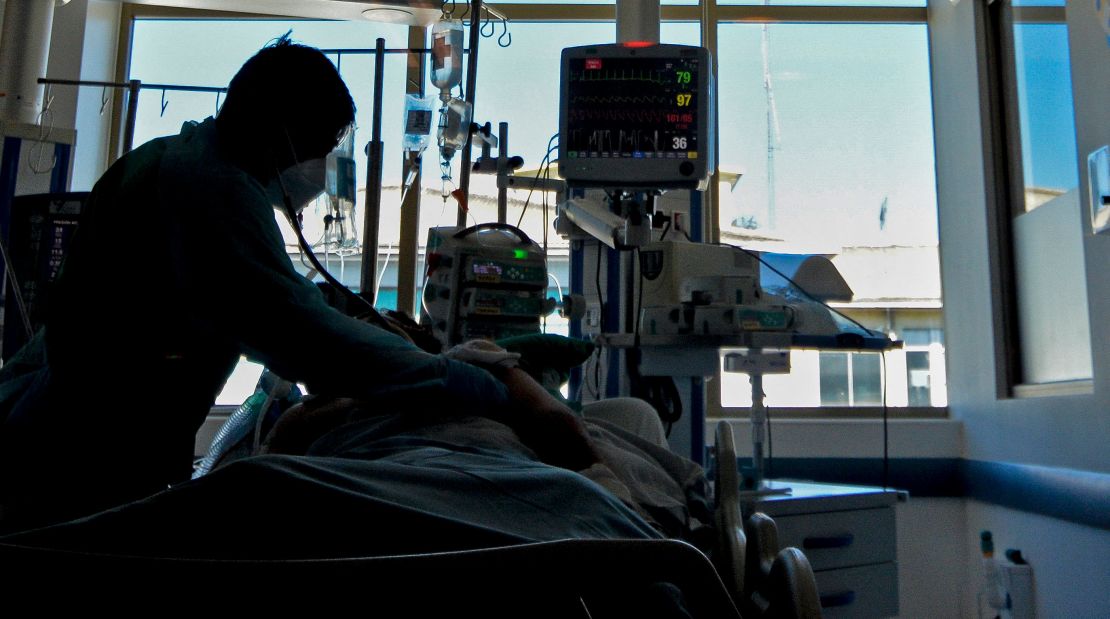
{"points": [[830, 128]]}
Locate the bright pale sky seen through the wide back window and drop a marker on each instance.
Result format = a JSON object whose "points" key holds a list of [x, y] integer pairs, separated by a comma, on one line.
{"points": [[854, 109]]}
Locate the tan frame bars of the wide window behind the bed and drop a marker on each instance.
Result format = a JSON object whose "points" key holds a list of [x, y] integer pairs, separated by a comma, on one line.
{"points": [[709, 14]]}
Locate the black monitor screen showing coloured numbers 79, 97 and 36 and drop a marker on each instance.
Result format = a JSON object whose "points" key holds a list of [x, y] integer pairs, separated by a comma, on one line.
{"points": [[635, 108]]}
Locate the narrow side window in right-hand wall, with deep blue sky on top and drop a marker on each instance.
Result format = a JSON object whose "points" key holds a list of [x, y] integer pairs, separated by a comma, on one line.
{"points": [[1040, 210]]}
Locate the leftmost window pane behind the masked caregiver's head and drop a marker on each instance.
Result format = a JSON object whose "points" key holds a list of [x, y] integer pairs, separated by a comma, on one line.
{"points": [[165, 52]]}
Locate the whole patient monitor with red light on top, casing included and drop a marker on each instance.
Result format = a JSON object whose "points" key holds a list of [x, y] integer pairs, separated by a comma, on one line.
{"points": [[635, 117]]}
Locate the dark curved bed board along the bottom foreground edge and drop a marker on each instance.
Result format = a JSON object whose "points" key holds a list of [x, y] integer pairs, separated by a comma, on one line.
{"points": [[547, 580]]}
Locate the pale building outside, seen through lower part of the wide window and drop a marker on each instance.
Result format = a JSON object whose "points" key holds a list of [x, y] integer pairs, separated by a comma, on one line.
{"points": [[897, 292]]}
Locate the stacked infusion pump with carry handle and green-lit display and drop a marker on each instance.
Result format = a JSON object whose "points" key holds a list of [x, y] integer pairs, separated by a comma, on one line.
{"points": [[489, 281]]}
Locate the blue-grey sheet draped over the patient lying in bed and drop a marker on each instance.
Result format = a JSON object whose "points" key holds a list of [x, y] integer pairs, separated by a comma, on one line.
{"points": [[340, 479]]}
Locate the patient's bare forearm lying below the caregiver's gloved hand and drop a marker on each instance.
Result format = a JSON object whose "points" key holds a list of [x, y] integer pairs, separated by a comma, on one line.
{"points": [[546, 424]]}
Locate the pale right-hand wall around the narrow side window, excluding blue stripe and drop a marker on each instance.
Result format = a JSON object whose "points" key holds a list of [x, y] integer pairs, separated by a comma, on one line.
{"points": [[1073, 432]]}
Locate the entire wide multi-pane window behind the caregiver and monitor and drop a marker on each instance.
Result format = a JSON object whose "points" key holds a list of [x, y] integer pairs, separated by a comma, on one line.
{"points": [[824, 115]]}
